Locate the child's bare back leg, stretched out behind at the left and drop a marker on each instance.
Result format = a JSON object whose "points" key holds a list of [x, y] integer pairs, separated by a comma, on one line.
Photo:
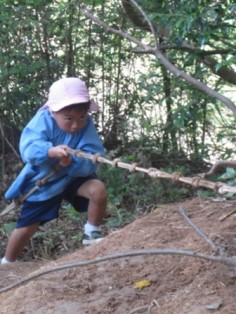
{"points": [[17, 241]]}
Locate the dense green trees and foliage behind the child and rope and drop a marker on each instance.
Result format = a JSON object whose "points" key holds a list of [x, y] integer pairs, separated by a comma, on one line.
{"points": [[163, 73]]}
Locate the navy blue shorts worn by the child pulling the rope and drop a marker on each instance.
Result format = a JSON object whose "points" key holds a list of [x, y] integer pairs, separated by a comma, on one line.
{"points": [[41, 212]]}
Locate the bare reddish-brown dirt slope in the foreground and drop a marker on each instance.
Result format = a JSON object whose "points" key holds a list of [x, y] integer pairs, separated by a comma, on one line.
{"points": [[174, 284]]}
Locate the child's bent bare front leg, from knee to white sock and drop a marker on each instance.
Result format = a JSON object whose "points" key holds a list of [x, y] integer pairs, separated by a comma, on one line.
{"points": [[95, 191]]}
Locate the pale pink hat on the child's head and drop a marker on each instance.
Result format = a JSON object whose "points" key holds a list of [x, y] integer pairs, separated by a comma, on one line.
{"points": [[68, 91]]}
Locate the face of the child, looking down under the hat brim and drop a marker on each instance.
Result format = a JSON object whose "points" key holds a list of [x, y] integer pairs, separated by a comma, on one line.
{"points": [[71, 120]]}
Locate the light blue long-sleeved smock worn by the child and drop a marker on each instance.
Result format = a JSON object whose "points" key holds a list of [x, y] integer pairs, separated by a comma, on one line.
{"points": [[41, 133]]}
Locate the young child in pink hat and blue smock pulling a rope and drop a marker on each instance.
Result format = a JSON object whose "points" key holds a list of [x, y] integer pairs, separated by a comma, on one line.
{"points": [[62, 123]]}
